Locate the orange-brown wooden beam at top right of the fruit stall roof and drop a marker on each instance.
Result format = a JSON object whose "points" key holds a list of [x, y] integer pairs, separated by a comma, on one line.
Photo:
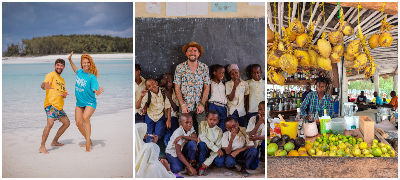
{"points": [[391, 8]]}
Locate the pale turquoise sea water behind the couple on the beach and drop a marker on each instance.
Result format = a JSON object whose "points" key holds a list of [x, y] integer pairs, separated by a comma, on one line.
{"points": [[23, 98]]}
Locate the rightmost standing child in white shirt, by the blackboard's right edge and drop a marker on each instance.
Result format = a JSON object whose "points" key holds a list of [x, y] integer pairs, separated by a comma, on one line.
{"points": [[256, 90]]}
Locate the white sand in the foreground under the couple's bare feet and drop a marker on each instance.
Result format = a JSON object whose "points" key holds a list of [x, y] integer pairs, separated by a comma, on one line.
{"points": [[111, 156]]}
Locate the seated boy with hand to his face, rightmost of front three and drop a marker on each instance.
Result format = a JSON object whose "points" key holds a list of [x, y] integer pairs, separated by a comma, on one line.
{"points": [[237, 146]]}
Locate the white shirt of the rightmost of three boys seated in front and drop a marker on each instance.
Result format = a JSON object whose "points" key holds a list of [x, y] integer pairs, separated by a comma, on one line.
{"points": [[241, 139]]}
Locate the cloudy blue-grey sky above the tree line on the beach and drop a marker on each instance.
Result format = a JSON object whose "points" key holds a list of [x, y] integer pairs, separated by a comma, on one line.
{"points": [[27, 20]]}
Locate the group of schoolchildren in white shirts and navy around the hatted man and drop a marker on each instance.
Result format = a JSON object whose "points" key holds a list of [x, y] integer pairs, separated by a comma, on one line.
{"points": [[222, 137]]}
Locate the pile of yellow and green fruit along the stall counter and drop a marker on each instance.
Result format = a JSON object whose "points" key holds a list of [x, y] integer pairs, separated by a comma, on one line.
{"points": [[333, 145]]}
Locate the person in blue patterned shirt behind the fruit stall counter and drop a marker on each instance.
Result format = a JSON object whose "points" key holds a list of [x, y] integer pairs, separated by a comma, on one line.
{"points": [[318, 100]]}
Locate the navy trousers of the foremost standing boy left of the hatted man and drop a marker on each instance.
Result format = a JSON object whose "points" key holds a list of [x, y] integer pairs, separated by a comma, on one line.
{"points": [[155, 128]]}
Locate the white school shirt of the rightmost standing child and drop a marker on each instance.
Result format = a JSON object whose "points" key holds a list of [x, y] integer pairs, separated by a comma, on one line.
{"points": [[256, 94]]}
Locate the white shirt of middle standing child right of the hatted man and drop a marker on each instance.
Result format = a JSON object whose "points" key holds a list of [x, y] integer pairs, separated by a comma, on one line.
{"points": [[238, 101]]}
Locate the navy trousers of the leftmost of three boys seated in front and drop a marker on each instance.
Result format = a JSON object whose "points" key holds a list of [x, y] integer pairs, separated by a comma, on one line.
{"points": [[188, 151]]}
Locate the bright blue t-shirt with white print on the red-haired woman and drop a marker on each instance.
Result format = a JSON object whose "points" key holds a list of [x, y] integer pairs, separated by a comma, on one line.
{"points": [[85, 83]]}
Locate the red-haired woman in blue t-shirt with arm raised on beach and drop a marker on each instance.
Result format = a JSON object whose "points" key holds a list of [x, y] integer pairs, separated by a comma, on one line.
{"points": [[86, 87]]}
